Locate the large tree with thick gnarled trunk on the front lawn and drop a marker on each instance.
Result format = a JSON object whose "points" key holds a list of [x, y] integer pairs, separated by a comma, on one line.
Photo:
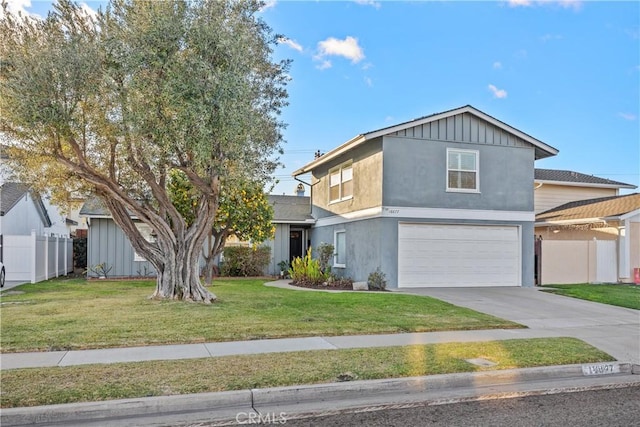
{"points": [[117, 102]]}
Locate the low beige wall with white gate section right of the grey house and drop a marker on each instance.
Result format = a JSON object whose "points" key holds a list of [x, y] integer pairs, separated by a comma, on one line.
{"points": [[579, 261]]}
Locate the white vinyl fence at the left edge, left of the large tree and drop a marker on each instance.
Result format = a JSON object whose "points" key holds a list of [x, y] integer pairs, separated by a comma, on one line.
{"points": [[35, 258]]}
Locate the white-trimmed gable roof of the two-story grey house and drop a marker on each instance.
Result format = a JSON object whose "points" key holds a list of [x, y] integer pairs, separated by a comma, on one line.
{"points": [[542, 150]]}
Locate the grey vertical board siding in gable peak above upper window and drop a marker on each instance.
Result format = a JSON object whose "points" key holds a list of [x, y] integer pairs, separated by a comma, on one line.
{"points": [[463, 128]]}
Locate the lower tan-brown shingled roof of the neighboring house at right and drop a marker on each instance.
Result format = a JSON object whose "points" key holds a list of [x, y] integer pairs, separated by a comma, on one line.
{"points": [[592, 210]]}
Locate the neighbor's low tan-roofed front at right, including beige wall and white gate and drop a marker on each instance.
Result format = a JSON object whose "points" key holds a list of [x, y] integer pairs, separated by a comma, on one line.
{"points": [[597, 240]]}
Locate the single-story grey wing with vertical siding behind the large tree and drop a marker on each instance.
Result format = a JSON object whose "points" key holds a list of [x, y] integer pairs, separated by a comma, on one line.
{"points": [[106, 243]]}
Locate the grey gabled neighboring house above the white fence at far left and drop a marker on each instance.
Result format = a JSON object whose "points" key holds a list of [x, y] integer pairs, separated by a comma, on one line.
{"points": [[21, 211]]}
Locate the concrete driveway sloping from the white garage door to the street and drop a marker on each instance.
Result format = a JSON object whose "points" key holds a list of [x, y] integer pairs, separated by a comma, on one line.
{"points": [[615, 330]]}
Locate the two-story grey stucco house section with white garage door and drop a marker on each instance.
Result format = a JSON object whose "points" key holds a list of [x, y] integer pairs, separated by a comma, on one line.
{"points": [[443, 200]]}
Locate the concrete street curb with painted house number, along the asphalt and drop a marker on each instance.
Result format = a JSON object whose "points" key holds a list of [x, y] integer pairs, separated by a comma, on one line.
{"points": [[226, 405]]}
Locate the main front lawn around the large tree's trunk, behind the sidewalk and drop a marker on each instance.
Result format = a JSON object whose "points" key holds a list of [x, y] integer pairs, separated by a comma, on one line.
{"points": [[80, 314]]}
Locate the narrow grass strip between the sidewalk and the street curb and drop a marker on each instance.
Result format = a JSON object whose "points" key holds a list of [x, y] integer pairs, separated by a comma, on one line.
{"points": [[46, 386]]}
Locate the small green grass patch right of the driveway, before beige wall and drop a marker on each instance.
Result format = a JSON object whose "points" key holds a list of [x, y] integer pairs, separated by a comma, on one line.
{"points": [[621, 295]]}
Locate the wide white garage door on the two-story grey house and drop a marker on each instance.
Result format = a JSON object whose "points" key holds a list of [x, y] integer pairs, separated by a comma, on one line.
{"points": [[435, 255]]}
